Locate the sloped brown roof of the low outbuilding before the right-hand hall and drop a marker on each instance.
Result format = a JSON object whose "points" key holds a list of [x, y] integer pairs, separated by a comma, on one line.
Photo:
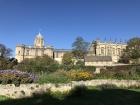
{"points": [[98, 58]]}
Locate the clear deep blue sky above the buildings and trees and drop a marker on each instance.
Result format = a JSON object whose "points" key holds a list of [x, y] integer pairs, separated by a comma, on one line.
{"points": [[61, 21]]}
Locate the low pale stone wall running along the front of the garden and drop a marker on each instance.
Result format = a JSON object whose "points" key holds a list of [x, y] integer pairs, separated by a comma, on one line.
{"points": [[27, 90]]}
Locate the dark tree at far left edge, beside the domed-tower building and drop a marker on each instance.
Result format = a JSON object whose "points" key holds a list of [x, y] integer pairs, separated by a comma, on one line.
{"points": [[4, 51]]}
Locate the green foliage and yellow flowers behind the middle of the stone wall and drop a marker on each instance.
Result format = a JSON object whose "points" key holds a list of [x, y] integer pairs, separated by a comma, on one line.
{"points": [[62, 76]]}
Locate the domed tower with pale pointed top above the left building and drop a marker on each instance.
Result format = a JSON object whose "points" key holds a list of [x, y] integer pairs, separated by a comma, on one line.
{"points": [[39, 41]]}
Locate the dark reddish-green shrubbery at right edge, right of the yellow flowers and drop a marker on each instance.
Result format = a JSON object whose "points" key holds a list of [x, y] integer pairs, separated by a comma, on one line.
{"points": [[120, 72]]}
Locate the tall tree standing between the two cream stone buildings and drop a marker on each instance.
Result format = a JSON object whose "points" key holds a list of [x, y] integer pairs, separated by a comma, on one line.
{"points": [[80, 47]]}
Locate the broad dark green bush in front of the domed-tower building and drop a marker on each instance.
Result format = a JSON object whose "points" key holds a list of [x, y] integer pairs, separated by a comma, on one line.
{"points": [[38, 64]]}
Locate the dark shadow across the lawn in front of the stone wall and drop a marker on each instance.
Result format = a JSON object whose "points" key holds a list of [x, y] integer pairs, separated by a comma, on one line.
{"points": [[86, 97]]}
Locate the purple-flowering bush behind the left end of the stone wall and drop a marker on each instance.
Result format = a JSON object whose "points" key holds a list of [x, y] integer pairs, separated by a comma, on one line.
{"points": [[15, 77]]}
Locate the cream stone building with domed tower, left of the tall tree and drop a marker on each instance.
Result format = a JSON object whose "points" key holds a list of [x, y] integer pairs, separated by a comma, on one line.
{"points": [[38, 49]]}
